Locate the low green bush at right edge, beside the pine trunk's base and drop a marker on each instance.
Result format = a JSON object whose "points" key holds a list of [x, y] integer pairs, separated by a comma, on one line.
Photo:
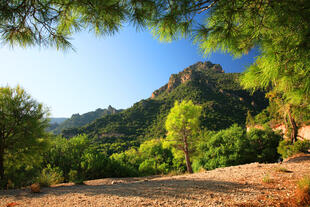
{"points": [[286, 149]]}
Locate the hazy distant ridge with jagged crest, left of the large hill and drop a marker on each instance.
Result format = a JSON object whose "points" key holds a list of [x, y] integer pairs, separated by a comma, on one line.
{"points": [[78, 120]]}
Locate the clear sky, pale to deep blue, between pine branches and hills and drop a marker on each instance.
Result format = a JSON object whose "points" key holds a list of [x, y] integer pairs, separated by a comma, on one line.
{"points": [[118, 70]]}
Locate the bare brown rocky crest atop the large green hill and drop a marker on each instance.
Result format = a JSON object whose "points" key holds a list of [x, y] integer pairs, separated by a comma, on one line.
{"points": [[188, 74]]}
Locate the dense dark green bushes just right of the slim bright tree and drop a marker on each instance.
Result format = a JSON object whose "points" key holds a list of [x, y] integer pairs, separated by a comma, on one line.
{"points": [[234, 146]]}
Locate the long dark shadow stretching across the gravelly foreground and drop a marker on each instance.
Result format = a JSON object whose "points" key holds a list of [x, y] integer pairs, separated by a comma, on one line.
{"points": [[173, 188]]}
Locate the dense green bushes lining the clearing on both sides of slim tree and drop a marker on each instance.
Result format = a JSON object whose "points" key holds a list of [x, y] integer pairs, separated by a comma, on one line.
{"points": [[227, 147]]}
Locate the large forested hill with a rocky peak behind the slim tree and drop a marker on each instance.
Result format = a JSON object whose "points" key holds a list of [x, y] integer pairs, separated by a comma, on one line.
{"points": [[223, 100]]}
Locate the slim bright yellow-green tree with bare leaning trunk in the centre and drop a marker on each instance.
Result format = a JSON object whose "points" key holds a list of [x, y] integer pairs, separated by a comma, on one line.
{"points": [[182, 125]]}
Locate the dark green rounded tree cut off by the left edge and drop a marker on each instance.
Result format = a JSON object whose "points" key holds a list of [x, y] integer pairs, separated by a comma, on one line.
{"points": [[22, 127]]}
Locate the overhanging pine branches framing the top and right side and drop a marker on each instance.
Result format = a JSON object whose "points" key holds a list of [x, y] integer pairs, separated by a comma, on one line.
{"points": [[280, 29]]}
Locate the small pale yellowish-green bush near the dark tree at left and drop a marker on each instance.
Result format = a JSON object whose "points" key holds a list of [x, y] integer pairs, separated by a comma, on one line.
{"points": [[50, 176]]}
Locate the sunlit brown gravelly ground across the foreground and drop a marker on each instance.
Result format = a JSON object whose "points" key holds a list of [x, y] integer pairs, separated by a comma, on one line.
{"points": [[244, 186]]}
